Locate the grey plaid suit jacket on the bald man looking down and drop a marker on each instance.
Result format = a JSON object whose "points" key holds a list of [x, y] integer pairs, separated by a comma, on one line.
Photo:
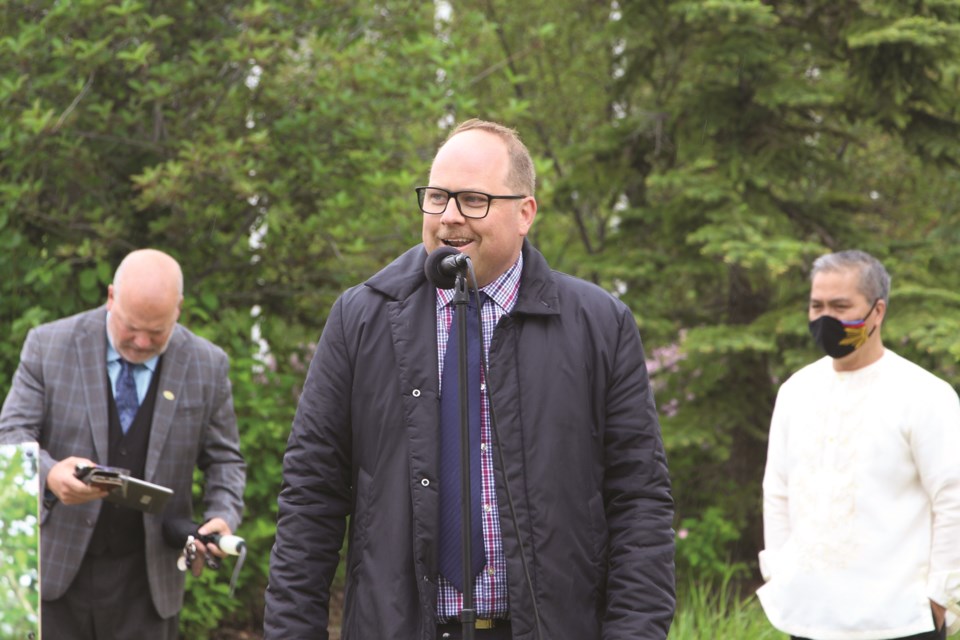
{"points": [[59, 398]]}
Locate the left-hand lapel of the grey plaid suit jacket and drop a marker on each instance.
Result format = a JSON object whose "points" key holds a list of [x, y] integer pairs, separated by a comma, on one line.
{"points": [[91, 345]]}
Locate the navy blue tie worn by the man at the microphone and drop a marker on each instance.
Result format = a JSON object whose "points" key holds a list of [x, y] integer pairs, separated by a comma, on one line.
{"points": [[450, 553]]}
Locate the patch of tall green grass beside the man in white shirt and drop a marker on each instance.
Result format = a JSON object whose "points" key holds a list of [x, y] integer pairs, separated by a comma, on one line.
{"points": [[720, 612]]}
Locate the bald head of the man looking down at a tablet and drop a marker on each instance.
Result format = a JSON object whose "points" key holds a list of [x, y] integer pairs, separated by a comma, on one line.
{"points": [[144, 303]]}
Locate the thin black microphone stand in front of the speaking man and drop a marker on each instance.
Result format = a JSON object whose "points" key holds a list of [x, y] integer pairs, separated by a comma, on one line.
{"points": [[461, 296]]}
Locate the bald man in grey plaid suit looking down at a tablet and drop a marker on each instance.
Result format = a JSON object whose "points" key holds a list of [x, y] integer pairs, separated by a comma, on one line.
{"points": [[105, 570]]}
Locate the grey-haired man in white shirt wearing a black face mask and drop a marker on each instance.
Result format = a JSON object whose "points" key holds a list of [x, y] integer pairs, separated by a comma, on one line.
{"points": [[861, 494]]}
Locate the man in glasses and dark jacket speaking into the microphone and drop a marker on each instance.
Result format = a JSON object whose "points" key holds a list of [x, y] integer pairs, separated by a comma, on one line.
{"points": [[570, 499]]}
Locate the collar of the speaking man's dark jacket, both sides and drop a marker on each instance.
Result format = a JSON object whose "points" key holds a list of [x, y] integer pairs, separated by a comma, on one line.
{"points": [[538, 286]]}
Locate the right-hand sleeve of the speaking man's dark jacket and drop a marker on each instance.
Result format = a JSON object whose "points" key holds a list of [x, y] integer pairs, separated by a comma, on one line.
{"points": [[638, 503]]}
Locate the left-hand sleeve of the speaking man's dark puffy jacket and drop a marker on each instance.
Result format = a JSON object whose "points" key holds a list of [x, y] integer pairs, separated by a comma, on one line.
{"points": [[315, 497]]}
